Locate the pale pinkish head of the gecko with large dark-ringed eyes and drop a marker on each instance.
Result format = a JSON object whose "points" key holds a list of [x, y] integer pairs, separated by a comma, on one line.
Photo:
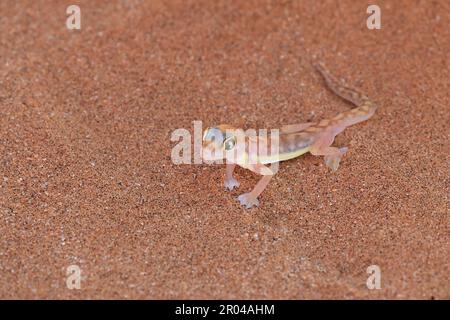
{"points": [[217, 141]]}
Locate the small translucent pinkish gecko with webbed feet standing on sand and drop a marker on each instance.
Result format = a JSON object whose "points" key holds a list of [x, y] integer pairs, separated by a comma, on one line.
{"points": [[294, 140]]}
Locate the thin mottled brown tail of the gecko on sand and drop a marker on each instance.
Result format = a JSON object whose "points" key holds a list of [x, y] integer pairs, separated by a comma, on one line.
{"points": [[349, 94]]}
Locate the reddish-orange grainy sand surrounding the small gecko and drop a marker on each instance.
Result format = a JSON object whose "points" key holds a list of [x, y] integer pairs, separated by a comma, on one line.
{"points": [[86, 175]]}
